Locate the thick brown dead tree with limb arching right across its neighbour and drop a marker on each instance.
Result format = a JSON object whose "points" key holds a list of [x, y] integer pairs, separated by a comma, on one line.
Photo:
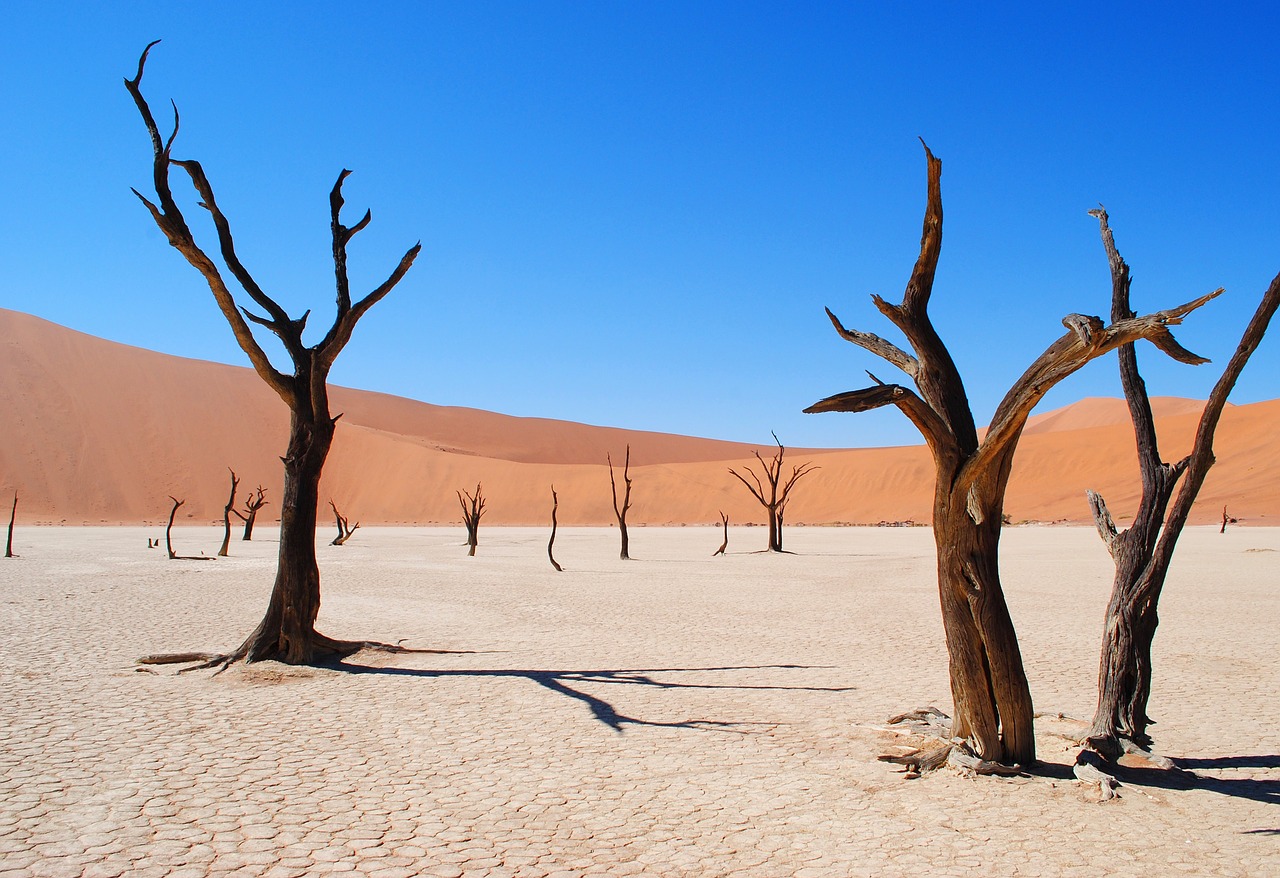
{"points": [[993, 701]]}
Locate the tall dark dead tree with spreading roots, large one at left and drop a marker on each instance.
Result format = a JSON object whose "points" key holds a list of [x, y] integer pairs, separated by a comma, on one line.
{"points": [[287, 632]]}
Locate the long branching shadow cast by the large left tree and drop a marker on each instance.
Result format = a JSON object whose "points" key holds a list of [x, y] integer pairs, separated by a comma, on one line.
{"points": [[560, 683]]}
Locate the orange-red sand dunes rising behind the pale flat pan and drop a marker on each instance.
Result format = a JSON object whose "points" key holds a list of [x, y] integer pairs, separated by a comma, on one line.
{"points": [[103, 433]]}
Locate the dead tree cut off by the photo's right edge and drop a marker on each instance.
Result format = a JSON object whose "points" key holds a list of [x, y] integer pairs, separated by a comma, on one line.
{"points": [[1142, 554]]}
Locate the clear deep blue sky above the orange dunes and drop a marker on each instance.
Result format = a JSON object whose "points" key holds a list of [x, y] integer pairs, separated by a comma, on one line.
{"points": [[634, 214]]}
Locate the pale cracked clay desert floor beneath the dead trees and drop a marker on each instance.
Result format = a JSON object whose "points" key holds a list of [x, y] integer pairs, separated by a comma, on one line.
{"points": [[678, 715]]}
